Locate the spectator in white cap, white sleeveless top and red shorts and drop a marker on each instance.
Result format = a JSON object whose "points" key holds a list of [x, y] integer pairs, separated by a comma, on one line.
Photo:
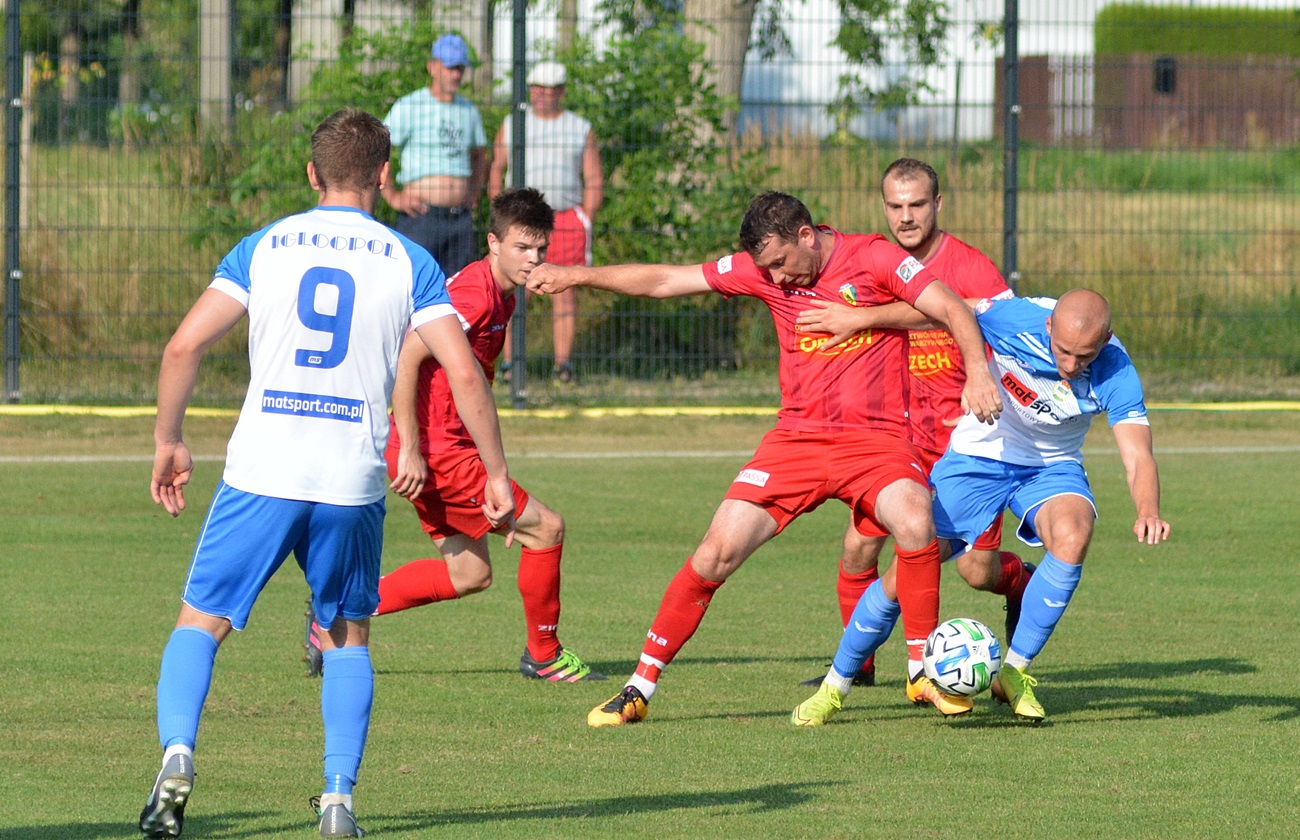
{"points": [[561, 161]]}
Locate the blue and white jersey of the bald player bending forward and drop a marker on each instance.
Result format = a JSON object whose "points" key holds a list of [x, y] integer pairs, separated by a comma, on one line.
{"points": [[1045, 418]]}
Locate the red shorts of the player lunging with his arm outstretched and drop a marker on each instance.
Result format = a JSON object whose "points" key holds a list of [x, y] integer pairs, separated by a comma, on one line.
{"points": [[794, 473]]}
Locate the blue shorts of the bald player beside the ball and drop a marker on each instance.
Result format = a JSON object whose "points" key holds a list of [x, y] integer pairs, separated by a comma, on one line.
{"points": [[972, 492]]}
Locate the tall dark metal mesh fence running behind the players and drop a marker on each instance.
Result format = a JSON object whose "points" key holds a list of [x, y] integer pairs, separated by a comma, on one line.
{"points": [[146, 137]]}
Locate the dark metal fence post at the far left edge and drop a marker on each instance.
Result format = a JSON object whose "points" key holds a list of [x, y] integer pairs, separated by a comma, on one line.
{"points": [[12, 205]]}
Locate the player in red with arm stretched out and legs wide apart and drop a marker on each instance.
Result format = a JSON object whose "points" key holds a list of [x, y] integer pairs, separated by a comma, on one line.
{"points": [[842, 431]]}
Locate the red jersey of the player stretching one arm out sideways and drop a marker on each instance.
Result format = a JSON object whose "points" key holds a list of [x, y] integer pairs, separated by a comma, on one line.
{"points": [[861, 384]]}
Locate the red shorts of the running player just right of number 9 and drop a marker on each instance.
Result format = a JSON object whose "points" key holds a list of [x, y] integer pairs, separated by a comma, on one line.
{"points": [[453, 497]]}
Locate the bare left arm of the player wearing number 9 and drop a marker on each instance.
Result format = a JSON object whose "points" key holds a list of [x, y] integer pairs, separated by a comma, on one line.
{"points": [[211, 318]]}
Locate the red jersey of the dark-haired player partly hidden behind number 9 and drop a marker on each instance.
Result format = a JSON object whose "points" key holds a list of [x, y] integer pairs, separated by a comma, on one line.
{"points": [[484, 311]]}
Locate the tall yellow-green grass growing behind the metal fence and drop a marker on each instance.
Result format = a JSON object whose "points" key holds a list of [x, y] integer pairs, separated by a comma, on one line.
{"points": [[1197, 250]]}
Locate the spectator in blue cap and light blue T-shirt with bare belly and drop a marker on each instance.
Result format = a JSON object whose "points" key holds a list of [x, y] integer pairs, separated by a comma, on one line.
{"points": [[443, 163]]}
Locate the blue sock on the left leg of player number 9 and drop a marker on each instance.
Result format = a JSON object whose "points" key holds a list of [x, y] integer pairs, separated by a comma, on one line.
{"points": [[184, 682]]}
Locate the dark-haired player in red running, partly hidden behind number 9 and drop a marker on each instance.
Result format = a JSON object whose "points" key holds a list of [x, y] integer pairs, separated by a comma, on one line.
{"points": [[434, 461]]}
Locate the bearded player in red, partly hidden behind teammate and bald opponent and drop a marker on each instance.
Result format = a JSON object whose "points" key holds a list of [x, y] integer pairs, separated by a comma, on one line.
{"points": [[912, 201]]}
